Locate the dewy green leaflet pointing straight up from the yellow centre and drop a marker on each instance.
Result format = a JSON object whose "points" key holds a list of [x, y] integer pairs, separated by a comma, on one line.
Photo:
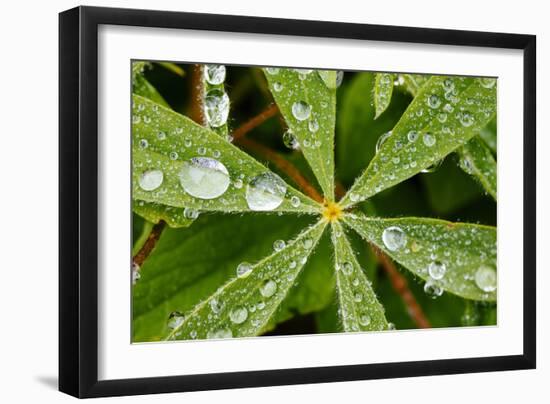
{"points": [[308, 105]]}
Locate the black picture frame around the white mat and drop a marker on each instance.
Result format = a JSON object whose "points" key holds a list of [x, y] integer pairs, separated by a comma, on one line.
{"points": [[78, 196]]}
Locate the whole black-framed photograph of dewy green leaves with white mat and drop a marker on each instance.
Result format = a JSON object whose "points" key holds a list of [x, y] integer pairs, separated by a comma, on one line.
{"points": [[252, 201]]}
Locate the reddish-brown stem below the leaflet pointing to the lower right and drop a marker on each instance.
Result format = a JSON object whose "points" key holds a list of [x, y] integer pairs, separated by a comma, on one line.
{"points": [[400, 285]]}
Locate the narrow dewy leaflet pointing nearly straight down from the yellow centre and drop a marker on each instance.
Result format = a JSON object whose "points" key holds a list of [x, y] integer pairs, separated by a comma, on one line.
{"points": [[360, 310]]}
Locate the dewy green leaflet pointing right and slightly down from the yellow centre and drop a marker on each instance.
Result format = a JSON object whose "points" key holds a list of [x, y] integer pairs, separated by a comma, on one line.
{"points": [[464, 253]]}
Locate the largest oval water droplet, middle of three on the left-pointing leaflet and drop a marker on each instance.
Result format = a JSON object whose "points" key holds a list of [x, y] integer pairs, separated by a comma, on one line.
{"points": [[204, 177]]}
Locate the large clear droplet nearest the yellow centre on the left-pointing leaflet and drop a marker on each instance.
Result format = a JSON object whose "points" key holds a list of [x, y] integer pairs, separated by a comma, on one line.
{"points": [[265, 192]]}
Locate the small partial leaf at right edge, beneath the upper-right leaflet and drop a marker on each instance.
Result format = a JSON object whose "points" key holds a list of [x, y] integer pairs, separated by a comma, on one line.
{"points": [[476, 159]]}
